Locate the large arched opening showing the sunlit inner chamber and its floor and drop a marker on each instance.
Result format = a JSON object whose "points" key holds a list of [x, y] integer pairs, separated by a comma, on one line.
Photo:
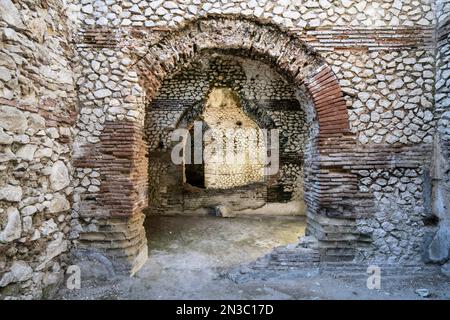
{"points": [[245, 135]]}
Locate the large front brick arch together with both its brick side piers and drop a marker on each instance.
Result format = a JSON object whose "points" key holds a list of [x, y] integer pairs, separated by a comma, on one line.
{"points": [[124, 191]]}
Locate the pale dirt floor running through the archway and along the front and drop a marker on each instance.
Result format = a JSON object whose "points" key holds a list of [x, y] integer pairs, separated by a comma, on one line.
{"points": [[188, 257]]}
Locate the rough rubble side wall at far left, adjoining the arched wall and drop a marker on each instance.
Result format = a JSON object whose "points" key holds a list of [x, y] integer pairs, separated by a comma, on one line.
{"points": [[37, 113]]}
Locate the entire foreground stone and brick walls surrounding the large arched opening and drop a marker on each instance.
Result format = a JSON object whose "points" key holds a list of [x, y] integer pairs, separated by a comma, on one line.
{"points": [[377, 88]]}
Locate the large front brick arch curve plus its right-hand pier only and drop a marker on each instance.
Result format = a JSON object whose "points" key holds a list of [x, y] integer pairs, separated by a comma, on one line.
{"points": [[329, 183]]}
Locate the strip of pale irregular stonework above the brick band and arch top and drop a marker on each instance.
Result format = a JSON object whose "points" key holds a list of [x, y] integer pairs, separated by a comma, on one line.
{"points": [[292, 14]]}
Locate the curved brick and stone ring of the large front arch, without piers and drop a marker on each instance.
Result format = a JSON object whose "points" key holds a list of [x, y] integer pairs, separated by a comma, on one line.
{"points": [[280, 48]]}
